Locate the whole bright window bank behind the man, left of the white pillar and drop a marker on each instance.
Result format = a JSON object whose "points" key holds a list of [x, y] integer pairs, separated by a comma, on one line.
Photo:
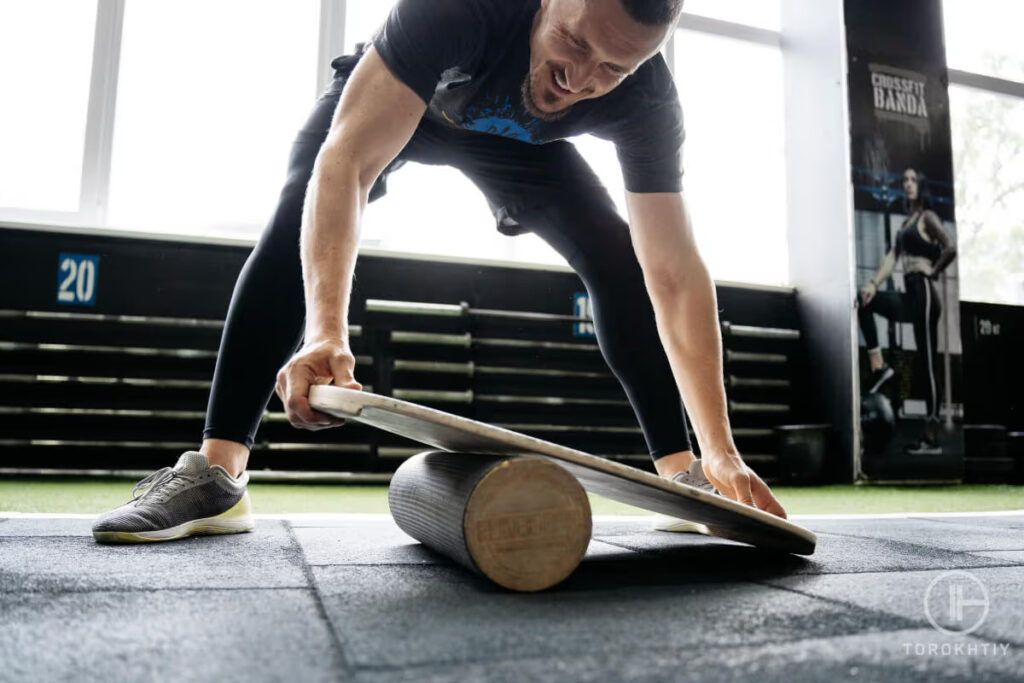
{"points": [[197, 104]]}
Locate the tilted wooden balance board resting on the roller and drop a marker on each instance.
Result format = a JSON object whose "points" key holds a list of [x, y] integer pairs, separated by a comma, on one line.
{"points": [[717, 516]]}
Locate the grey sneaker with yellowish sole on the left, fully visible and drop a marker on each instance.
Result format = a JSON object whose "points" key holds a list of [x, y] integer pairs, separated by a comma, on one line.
{"points": [[192, 498]]}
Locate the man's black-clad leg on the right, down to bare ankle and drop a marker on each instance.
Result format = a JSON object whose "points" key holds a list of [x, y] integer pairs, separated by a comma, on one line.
{"points": [[572, 211]]}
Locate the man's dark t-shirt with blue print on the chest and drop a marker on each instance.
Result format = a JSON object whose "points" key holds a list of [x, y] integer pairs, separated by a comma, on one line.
{"points": [[468, 59]]}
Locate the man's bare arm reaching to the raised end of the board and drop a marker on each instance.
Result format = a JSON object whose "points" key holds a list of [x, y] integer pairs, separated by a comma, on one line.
{"points": [[376, 117]]}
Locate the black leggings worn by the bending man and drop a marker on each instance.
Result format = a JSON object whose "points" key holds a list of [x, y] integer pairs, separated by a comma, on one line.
{"points": [[548, 190]]}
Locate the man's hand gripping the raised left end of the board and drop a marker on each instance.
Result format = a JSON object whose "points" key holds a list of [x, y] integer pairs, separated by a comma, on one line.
{"points": [[316, 363]]}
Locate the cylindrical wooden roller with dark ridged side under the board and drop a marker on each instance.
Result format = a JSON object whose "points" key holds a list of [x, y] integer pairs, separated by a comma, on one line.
{"points": [[524, 523]]}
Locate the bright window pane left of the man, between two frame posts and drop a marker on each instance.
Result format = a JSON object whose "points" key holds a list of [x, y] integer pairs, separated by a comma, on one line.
{"points": [[209, 100]]}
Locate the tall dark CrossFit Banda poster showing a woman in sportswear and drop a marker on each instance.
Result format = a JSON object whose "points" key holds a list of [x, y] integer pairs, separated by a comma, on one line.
{"points": [[908, 308]]}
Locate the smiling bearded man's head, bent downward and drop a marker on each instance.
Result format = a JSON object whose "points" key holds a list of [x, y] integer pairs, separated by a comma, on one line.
{"points": [[582, 50]]}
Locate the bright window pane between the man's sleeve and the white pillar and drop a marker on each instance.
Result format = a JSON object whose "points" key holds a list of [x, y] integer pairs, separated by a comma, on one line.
{"points": [[735, 158]]}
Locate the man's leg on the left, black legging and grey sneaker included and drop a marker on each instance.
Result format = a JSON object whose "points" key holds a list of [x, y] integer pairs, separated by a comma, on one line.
{"points": [[263, 329]]}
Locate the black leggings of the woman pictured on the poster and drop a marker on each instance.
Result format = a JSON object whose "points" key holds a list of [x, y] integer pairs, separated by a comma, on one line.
{"points": [[921, 307]]}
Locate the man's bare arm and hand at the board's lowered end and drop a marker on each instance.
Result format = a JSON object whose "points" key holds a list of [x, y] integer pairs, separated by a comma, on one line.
{"points": [[684, 297]]}
